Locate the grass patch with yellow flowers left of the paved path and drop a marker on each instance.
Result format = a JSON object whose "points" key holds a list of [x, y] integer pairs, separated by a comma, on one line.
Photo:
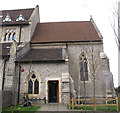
{"points": [[20, 108]]}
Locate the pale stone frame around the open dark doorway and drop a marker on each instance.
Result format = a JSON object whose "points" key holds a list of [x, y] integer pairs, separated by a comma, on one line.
{"points": [[53, 79]]}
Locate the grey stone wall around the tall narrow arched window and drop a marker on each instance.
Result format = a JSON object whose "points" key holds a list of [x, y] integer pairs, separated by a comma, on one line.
{"points": [[74, 51]]}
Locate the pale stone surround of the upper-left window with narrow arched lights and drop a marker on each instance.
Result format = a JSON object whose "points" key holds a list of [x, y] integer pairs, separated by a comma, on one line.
{"points": [[4, 33]]}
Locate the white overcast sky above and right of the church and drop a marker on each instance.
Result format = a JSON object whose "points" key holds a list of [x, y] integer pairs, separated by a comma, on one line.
{"points": [[77, 10]]}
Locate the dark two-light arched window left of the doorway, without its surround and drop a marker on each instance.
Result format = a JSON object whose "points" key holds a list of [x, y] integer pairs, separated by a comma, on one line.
{"points": [[33, 85]]}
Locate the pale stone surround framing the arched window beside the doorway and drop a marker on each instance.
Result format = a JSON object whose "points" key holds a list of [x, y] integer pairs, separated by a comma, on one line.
{"points": [[26, 85]]}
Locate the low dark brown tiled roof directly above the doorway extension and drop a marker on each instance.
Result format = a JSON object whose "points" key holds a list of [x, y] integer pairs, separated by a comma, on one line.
{"points": [[35, 55]]}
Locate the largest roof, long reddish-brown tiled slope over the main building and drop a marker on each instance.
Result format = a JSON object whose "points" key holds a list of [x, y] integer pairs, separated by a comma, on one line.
{"points": [[65, 32]]}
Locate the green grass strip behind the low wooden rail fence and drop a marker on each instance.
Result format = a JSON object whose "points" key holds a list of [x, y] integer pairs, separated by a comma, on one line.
{"points": [[99, 108]]}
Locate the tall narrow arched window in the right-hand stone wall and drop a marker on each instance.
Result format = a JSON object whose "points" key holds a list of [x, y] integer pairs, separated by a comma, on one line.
{"points": [[83, 67]]}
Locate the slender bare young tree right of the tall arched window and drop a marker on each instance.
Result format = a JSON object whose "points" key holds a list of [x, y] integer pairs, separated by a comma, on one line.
{"points": [[95, 70]]}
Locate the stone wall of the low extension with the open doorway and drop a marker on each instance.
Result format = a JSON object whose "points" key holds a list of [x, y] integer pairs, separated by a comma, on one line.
{"points": [[46, 71]]}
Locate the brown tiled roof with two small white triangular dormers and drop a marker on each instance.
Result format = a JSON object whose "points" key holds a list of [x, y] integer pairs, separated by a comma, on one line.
{"points": [[14, 14]]}
